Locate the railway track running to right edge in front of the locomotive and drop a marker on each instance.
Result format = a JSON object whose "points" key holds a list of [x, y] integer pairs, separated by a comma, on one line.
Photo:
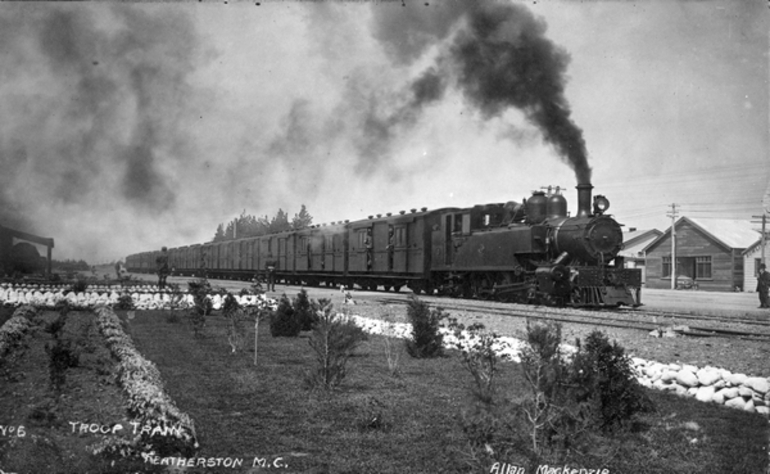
{"points": [[624, 319]]}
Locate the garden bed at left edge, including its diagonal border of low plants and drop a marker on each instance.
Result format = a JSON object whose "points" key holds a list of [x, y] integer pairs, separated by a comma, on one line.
{"points": [[100, 412]]}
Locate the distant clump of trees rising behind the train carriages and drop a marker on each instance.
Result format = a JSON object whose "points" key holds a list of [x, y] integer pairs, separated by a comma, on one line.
{"points": [[247, 225]]}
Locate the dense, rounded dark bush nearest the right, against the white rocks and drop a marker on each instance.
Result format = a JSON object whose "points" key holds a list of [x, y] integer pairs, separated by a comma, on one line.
{"points": [[601, 377]]}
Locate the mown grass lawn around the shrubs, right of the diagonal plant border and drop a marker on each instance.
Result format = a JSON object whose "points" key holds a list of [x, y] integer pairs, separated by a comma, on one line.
{"points": [[267, 412]]}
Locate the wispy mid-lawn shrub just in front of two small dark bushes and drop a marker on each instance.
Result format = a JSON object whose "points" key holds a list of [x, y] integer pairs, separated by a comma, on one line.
{"points": [[334, 338]]}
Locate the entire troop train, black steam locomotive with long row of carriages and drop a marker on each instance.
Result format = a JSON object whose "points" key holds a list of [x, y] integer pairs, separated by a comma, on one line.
{"points": [[530, 252]]}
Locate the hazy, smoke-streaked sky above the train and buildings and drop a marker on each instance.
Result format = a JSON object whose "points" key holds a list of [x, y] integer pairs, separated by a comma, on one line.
{"points": [[127, 127]]}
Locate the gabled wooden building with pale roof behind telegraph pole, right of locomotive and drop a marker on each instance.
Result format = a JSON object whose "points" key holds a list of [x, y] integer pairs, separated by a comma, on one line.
{"points": [[709, 254]]}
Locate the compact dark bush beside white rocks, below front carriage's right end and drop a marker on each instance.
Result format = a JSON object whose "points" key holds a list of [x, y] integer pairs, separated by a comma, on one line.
{"points": [[426, 339]]}
